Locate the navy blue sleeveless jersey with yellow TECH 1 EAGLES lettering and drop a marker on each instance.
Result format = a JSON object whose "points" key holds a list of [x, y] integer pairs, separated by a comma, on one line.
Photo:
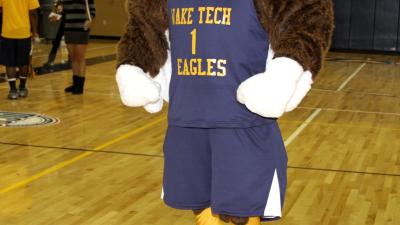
{"points": [[215, 45]]}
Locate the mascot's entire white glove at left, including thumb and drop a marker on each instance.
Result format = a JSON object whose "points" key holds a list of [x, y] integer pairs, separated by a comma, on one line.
{"points": [[139, 89]]}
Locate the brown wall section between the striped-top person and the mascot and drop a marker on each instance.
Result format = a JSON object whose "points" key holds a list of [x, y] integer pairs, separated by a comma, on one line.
{"points": [[110, 18]]}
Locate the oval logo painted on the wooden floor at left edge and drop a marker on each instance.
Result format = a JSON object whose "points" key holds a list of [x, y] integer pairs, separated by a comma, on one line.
{"points": [[13, 119]]}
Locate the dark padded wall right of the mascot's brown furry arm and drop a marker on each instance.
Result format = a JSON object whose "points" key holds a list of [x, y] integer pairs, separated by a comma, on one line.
{"points": [[370, 25]]}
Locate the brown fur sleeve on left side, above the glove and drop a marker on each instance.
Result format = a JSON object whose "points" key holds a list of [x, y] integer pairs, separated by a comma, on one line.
{"points": [[144, 43]]}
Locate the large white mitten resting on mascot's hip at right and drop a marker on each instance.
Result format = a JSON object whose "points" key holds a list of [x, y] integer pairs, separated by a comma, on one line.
{"points": [[268, 94]]}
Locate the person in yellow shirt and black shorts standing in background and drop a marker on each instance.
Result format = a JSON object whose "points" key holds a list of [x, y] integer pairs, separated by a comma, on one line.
{"points": [[20, 22]]}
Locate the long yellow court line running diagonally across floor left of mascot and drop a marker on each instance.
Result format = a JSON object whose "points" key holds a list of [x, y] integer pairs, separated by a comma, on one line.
{"points": [[77, 158]]}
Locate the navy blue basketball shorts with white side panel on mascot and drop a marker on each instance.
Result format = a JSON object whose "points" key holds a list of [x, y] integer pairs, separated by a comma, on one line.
{"points": [[237, 172]]}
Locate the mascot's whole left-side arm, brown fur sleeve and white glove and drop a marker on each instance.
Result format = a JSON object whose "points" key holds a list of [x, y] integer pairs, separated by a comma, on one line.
{"points": [[144, 68]]}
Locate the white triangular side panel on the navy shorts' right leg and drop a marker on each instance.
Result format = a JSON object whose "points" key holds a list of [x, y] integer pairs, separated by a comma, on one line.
{"points": [[274, 206]]}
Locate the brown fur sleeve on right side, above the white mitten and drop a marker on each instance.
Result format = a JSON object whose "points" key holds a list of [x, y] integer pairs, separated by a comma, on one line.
{"points": [[298, 29]]}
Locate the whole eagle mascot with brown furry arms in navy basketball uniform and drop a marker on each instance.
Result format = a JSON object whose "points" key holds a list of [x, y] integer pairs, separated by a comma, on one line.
{"points": [[228, 69]]}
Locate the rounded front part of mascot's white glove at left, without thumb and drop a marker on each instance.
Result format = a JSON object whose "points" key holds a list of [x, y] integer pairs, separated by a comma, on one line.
{"points": [[136, 87]]}
